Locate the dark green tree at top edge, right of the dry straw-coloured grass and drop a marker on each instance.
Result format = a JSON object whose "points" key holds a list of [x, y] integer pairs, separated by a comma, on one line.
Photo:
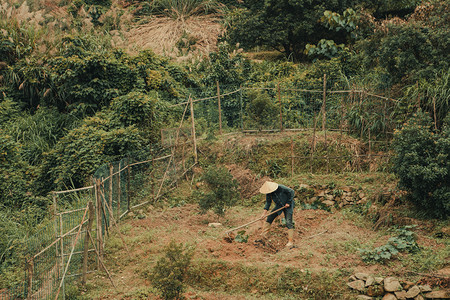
{"points": [[282, 25]]}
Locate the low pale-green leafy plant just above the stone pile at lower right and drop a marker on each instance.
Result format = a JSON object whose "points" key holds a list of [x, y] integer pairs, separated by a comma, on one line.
{"points": [[405, 241]]}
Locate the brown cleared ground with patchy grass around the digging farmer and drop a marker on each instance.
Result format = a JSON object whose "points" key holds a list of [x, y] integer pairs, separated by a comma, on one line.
{"points": [[326, 252]]}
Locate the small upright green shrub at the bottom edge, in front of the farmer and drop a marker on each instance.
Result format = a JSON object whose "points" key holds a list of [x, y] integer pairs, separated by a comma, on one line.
{"points": [[169, 274]]}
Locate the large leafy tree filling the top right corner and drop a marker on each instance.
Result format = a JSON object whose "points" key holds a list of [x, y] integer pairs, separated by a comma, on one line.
{"points": [[412, 49]]}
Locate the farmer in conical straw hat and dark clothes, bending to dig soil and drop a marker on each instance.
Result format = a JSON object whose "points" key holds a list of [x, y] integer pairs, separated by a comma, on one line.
{"points": [[282, 196]]}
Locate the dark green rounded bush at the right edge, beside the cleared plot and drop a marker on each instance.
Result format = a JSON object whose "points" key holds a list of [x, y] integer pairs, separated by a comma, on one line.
{"points": [[422, 164]]}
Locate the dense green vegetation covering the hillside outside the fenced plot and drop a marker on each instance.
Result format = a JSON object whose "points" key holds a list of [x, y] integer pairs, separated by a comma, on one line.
{"points": [[70, 100]]}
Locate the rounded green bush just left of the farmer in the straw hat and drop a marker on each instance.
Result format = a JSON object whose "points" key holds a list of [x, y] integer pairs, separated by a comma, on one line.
{"points": [[223, 190]]}
